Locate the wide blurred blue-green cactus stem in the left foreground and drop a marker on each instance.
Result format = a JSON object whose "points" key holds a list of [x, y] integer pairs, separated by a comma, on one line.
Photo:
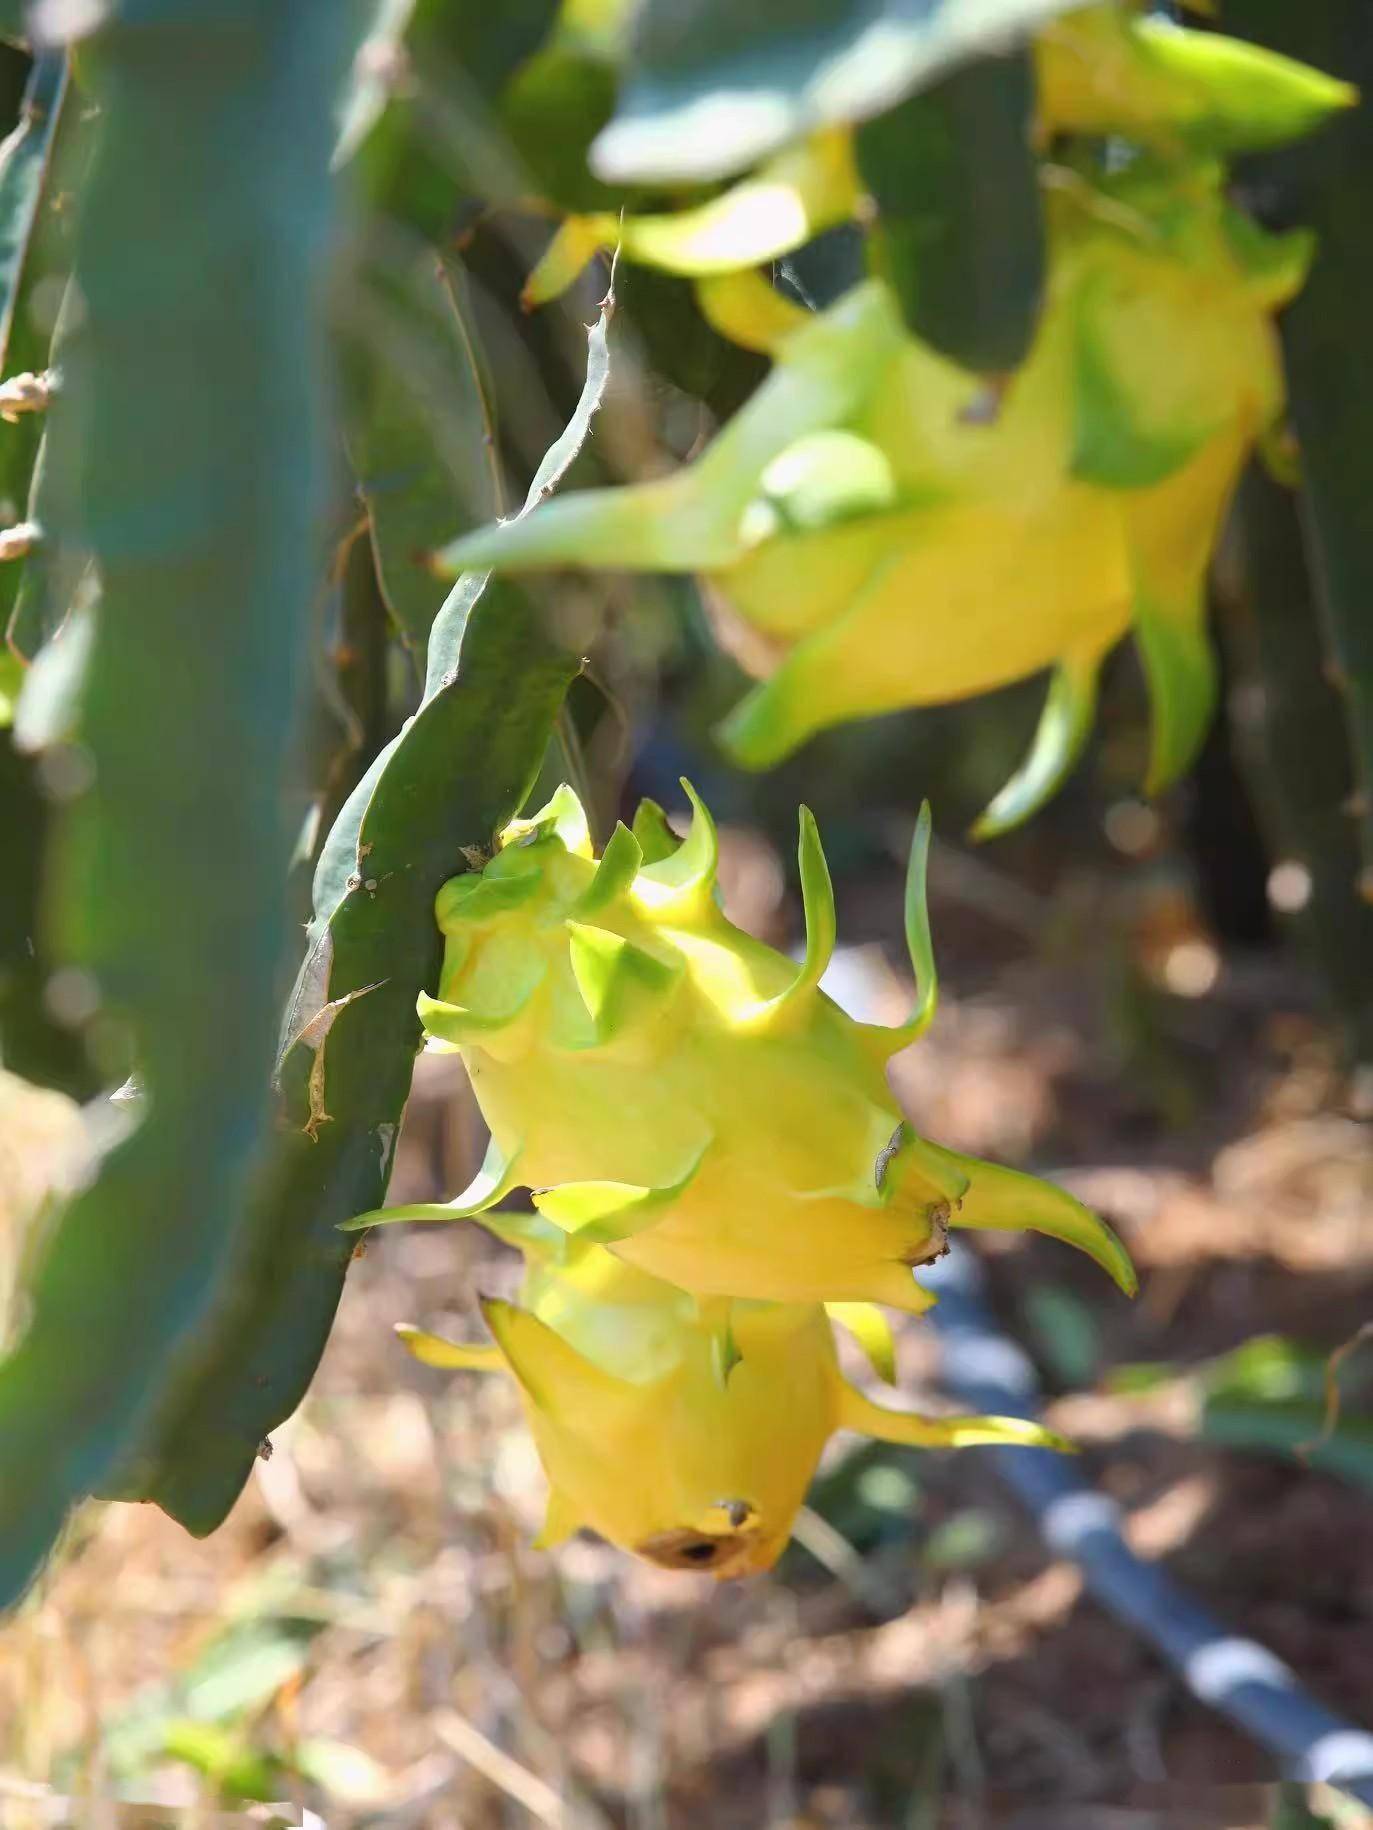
{"points": [[193, 387]]}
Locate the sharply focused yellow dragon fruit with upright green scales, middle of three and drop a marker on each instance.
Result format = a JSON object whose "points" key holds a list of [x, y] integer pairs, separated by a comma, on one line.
{"points": [[687, 1095]]}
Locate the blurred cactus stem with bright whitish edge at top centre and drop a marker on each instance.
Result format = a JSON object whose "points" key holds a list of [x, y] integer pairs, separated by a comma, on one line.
{"points": [[715, 87]]}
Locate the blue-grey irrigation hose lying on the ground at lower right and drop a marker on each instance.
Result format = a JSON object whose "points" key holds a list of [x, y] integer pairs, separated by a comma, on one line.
{"points": [[1238, 1677]]}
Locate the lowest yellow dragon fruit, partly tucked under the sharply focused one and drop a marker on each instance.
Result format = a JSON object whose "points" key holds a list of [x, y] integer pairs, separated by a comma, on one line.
{"points": [[643, 1437]]}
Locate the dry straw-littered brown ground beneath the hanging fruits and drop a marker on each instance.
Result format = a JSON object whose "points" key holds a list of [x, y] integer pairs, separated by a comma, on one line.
{"points": [[376, 1633]]}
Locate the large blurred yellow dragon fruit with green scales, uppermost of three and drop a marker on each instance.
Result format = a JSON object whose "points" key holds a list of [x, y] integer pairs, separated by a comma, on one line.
{"points": [[900, 533]]}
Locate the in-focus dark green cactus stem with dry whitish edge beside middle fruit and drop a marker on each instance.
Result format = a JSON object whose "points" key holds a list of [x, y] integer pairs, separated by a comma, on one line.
{"points": [[497, 674]]}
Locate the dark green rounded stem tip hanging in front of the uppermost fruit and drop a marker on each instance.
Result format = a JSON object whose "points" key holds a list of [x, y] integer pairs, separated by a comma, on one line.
{"points": [[960, 233]]}
